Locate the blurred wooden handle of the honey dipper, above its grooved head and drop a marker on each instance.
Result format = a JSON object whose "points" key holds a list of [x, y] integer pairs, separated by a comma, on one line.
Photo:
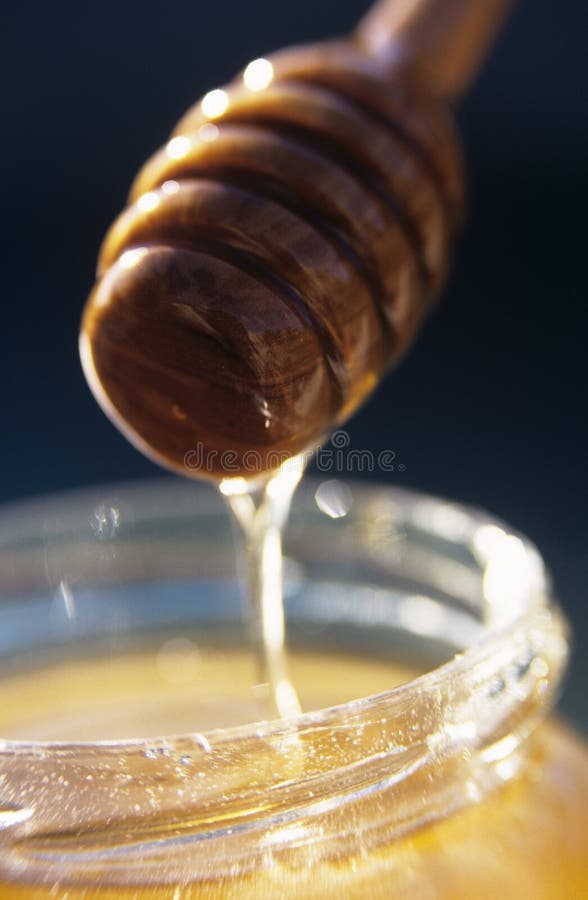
{"points": [[444, 40]]}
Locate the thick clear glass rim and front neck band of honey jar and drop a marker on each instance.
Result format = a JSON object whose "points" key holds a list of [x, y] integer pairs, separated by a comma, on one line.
{"points": [[433, 744]]}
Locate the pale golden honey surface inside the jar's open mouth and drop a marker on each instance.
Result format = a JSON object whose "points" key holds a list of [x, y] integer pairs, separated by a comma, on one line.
{"points": [[174, 689]]}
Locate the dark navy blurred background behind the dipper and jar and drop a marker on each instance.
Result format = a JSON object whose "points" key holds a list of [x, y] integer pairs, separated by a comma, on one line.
{"points": [[490, 406]]}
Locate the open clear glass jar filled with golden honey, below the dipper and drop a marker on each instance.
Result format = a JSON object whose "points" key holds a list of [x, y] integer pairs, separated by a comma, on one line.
{"points": [[428, 651]]}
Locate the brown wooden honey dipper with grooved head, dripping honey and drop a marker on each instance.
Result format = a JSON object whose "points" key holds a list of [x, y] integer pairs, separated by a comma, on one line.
{"points": [[280, 253]]}
